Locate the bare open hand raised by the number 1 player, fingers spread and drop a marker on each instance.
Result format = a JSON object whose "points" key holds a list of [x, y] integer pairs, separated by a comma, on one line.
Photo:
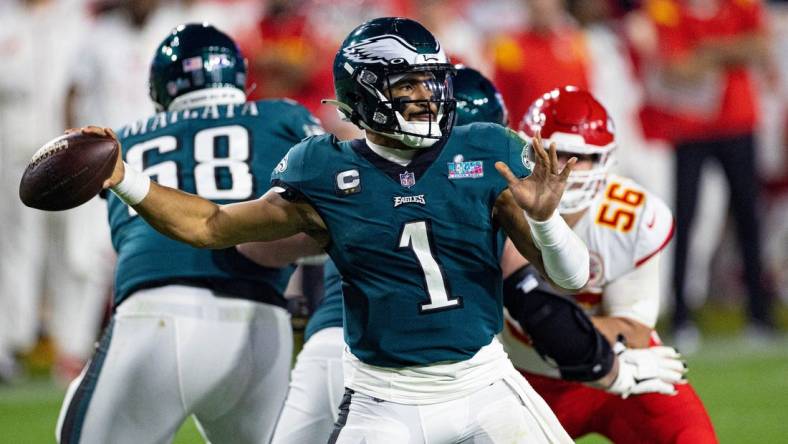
{"points": [[539, 193]]}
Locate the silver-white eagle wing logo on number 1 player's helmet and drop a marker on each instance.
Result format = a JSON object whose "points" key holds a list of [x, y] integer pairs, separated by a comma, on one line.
{"points": [[390, 49]]}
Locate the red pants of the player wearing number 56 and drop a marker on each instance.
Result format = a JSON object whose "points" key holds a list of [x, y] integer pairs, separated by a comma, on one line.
{"points": [[651, 418]]}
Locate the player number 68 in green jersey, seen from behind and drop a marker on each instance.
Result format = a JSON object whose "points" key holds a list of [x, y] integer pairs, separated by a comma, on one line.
{"points": [[194, 331]]}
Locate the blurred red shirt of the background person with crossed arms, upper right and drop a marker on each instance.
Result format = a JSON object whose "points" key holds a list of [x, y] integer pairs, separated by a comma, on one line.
{"points": [[731, 96]]}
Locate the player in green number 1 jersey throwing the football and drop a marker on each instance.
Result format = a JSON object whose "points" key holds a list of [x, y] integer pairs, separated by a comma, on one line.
{"points": [[410, 216]]}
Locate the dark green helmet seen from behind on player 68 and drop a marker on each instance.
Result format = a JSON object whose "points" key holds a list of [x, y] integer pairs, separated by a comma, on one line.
{"points": [[197, 64]]}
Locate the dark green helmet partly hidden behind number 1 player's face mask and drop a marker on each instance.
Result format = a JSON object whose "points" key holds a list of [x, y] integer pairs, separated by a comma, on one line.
{"points": [[478, 100]]}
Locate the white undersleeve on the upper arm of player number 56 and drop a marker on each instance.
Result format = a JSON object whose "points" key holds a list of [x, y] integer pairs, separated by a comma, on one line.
{"points": [[635, 295]]}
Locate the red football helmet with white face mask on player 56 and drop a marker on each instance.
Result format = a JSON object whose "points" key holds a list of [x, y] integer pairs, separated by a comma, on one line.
{"points": [[578, 125]]}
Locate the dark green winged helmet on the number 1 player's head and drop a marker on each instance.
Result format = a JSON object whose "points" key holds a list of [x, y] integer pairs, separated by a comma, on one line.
{"points": [[377, 55]]}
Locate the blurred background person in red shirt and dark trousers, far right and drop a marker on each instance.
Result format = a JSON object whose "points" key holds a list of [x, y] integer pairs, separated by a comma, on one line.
{"points": [[701, 96]]}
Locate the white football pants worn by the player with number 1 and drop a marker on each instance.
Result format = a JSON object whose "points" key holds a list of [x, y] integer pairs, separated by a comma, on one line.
{"points": [[508, 411]]}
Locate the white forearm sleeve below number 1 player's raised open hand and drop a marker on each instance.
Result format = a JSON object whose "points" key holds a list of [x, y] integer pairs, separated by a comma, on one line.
{"points": [[565, 256]]}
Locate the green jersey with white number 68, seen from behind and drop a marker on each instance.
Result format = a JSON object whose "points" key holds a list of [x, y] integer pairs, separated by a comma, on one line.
{"points": [[224, 153]]}
